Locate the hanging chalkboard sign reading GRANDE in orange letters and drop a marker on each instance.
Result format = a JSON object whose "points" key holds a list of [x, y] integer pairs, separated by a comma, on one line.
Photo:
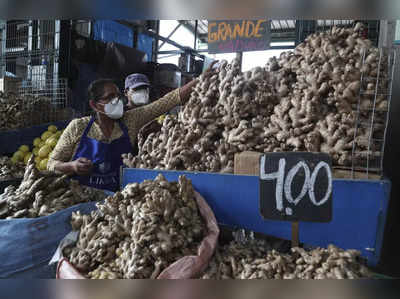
{"points": [[229, 36]]}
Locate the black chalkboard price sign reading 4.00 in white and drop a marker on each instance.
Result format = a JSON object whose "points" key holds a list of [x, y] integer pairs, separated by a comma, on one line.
{"points": [[296, 187]]}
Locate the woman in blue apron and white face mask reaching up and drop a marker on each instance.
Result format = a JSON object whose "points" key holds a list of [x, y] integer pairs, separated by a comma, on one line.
{"points": [[90, 148]]}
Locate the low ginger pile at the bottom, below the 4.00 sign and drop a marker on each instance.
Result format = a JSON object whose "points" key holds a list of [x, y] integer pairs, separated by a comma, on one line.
{"points": [[254, 260]]}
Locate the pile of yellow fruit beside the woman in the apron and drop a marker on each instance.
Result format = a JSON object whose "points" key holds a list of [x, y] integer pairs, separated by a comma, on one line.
{"points": [[41, 150]]}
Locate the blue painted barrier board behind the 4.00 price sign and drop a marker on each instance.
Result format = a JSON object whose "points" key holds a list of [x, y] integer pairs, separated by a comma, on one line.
{"points": [[359, 209]]}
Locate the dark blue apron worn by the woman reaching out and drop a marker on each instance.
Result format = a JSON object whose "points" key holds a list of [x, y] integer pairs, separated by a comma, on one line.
{"points": [[106, 159]]}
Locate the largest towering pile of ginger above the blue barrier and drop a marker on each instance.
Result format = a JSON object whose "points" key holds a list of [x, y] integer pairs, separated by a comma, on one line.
{"points": [[305, 100]]}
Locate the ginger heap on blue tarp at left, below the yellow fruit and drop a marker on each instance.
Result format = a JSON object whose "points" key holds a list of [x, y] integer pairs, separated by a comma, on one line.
{"points": [[41, 194]]}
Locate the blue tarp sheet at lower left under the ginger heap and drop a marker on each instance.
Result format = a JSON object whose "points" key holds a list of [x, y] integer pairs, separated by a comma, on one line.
{"points": [[27, 245]]}
